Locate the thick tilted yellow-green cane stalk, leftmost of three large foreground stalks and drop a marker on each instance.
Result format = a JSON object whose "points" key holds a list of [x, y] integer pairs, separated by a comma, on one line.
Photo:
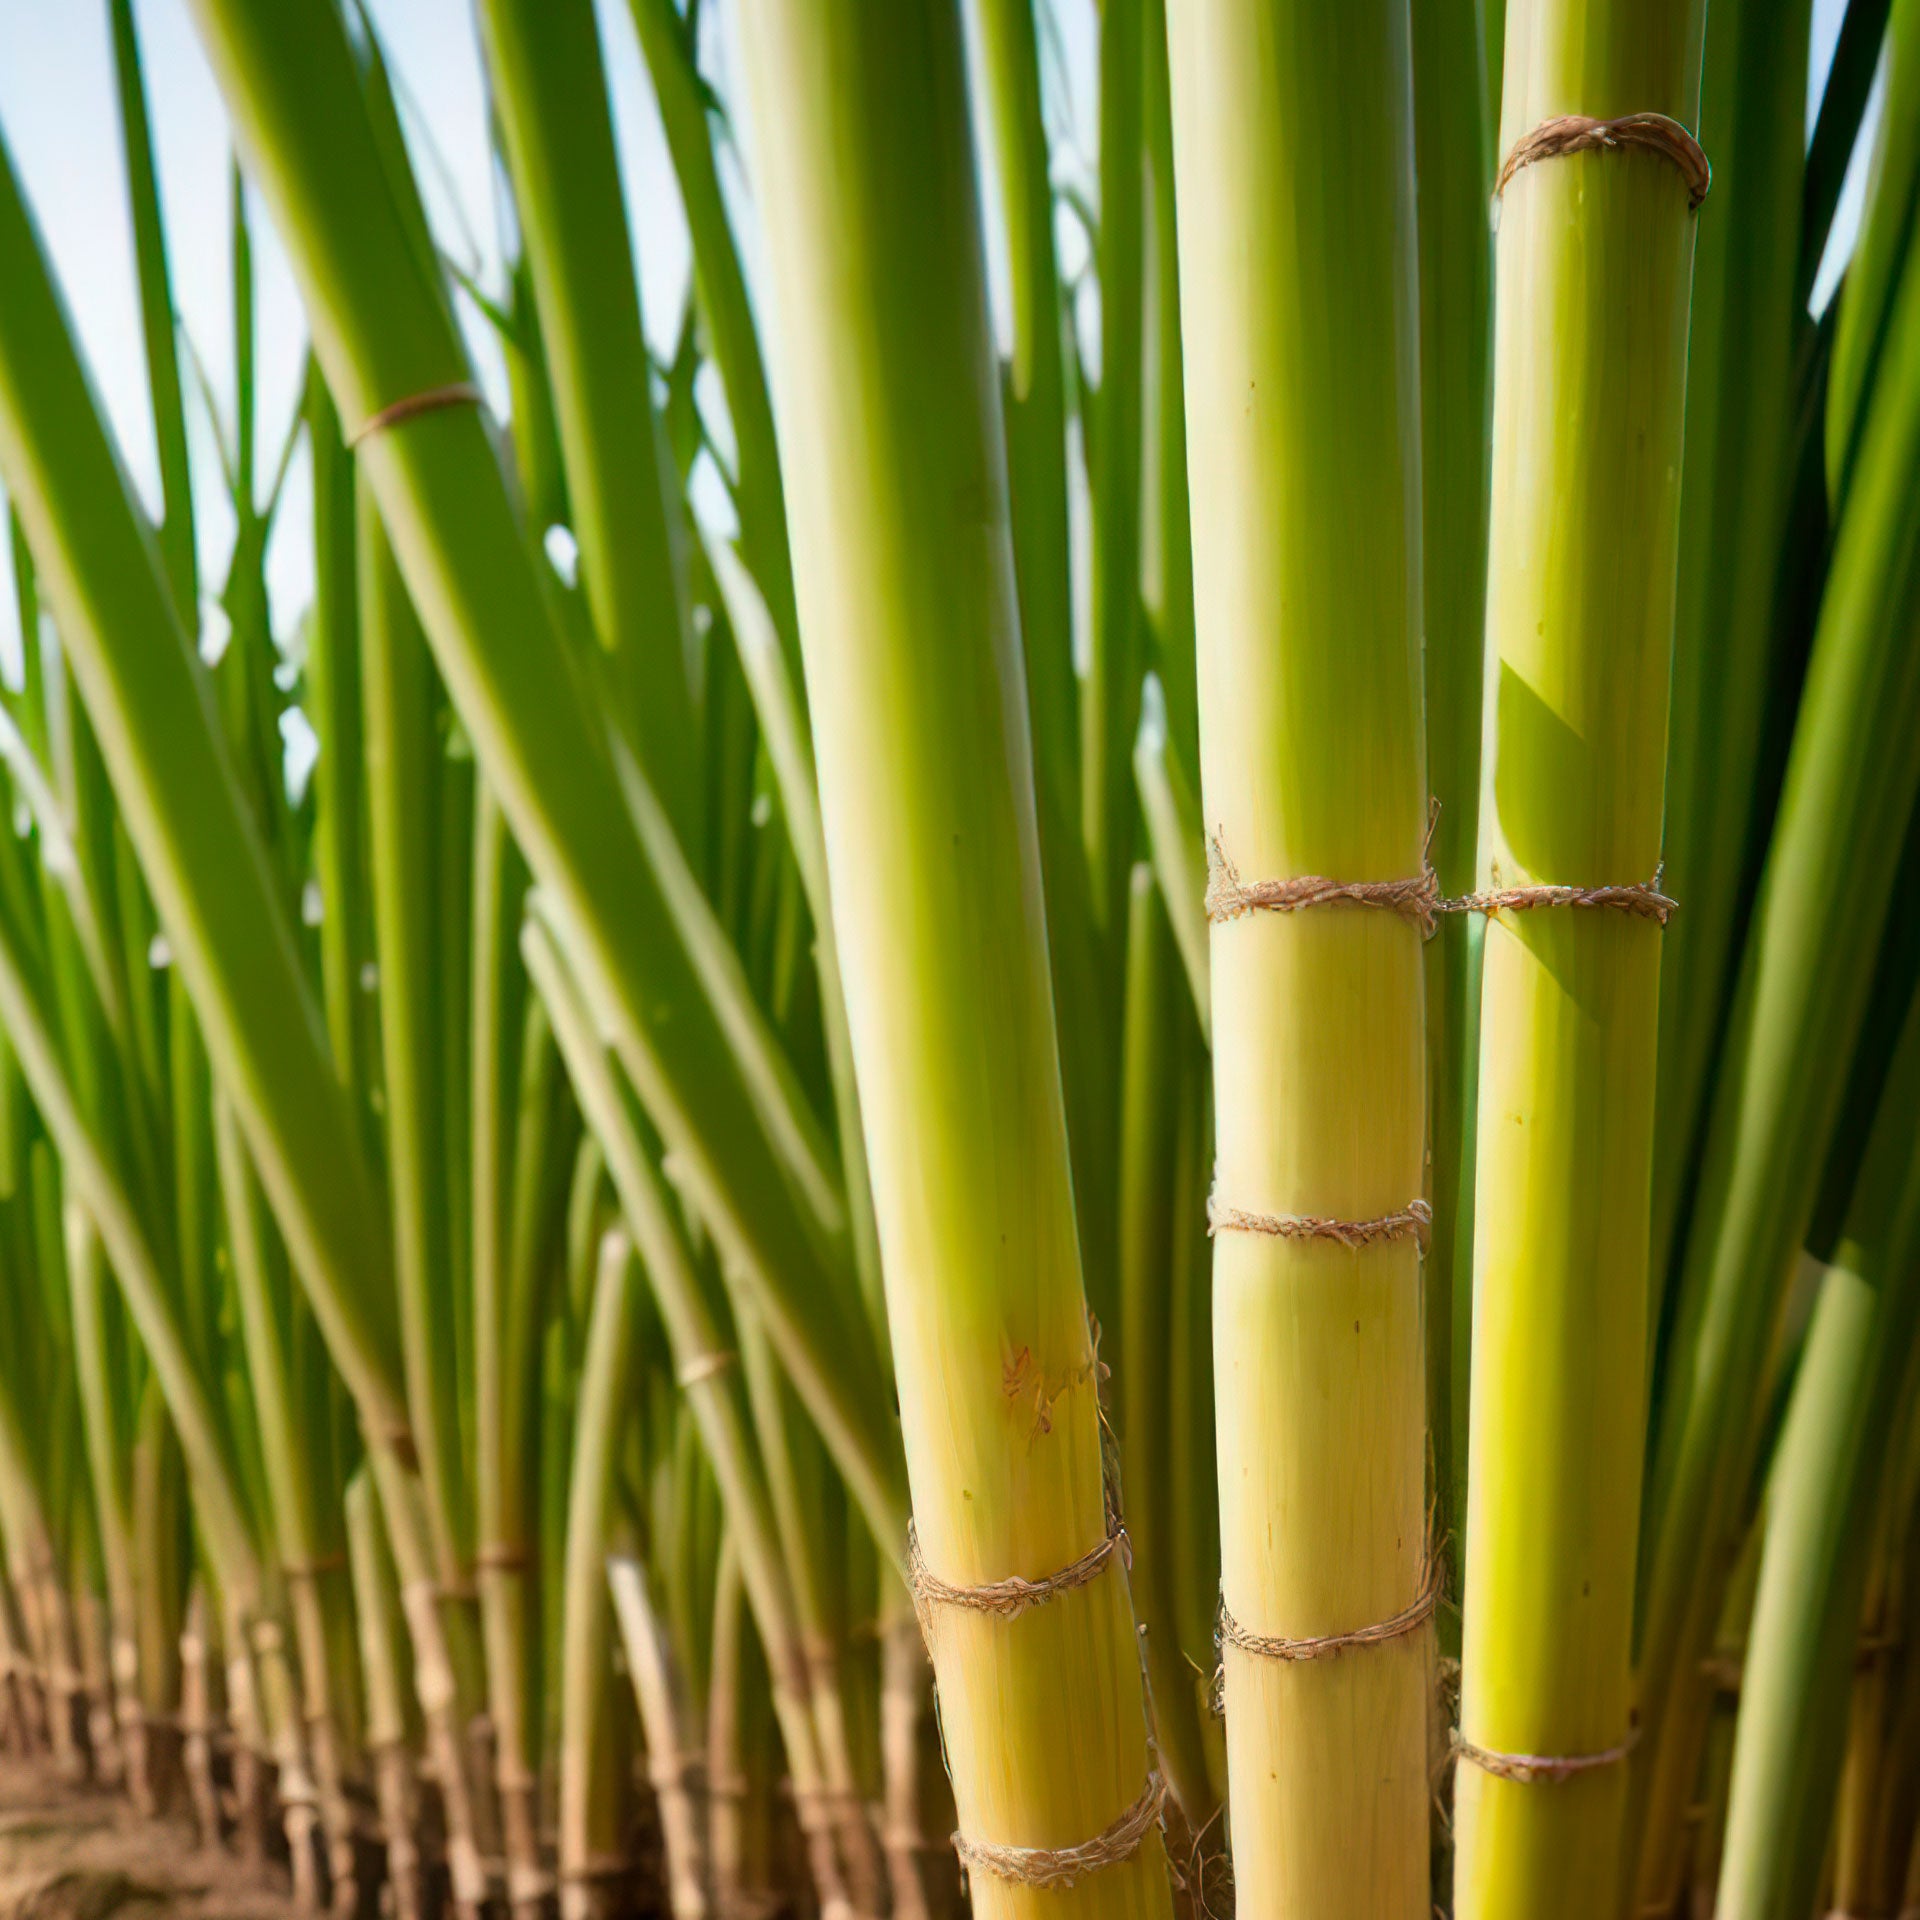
{"points": [[894, 452]]}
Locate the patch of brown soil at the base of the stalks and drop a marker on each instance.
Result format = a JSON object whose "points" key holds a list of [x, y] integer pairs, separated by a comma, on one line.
{"points": [[80, 1854]]}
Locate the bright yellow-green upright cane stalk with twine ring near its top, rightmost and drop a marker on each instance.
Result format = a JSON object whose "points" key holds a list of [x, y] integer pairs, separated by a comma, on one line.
{"points": [[1595, 266]]}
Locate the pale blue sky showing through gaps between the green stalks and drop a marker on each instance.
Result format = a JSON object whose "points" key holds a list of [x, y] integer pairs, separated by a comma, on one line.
{"points": [[60, 122]]}
